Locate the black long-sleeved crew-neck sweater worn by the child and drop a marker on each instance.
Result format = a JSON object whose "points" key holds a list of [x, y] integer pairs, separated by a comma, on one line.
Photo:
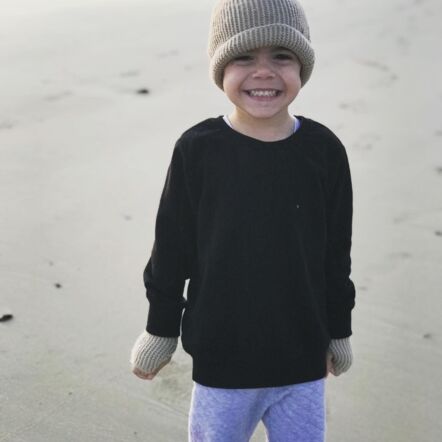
{"points": [[263, 232]]}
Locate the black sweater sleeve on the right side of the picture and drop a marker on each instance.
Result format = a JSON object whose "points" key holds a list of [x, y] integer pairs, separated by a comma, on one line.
{"points": [[340, 288]]}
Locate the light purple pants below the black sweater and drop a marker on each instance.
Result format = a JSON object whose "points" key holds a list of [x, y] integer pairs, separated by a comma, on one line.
{"points": [[292, 413]]}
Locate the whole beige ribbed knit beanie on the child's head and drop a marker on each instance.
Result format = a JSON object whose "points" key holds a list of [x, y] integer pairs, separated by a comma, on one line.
{"points": [[238, 26]]}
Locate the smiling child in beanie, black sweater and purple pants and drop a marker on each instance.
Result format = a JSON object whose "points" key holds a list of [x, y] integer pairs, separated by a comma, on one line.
{"points": [[256, 211]]}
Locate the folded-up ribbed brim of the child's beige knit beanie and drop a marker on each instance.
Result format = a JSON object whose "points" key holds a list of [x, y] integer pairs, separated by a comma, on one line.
{"points": [[274, 35]]}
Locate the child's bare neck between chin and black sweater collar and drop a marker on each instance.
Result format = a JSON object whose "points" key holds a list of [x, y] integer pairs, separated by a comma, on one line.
{"points": [[264, 129]]}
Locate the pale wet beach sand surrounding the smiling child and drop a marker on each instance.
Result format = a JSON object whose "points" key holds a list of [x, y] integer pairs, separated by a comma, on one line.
{"points": [[93, 96]]}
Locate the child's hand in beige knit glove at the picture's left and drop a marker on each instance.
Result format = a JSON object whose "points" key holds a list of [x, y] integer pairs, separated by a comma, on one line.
{"points": [[150, 354]]}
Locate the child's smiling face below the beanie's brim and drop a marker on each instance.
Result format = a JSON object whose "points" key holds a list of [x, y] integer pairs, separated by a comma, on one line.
{"points": [[262, 83]]}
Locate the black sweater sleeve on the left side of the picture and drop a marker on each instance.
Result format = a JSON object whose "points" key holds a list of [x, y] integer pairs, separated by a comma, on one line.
{"points": [[170, 261]]}
